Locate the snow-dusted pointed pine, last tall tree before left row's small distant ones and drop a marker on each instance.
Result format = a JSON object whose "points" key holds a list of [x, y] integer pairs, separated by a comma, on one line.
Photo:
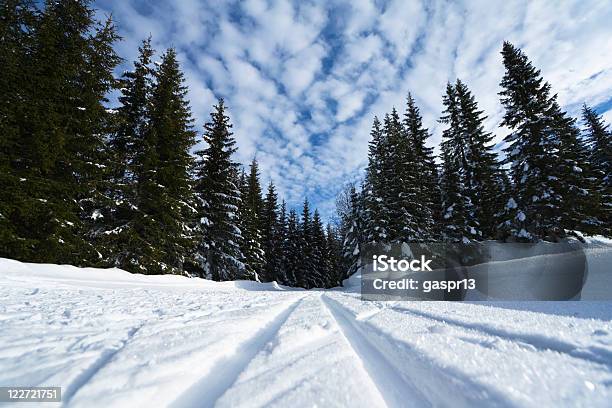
{"points": [[217, 186]]}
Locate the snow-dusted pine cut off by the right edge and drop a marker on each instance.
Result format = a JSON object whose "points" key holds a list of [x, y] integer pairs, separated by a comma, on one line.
{"points": [[598, 137]]}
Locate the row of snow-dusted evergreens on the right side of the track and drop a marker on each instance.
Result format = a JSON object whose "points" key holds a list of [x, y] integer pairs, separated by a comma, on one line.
{"points": [[554, 180]]}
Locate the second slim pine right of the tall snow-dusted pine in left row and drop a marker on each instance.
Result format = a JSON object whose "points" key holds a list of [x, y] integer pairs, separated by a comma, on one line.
{"points": [[271, 240]]}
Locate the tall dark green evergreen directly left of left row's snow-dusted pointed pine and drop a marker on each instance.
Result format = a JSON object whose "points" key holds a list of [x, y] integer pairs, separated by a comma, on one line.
{"points": [[165, 191]]}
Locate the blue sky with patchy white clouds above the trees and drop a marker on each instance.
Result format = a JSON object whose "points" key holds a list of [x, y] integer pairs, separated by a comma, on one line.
{"points": [[304, 79]]}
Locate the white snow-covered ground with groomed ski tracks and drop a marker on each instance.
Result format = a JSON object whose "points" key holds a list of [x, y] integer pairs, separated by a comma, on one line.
{"points": [[110, 338]]}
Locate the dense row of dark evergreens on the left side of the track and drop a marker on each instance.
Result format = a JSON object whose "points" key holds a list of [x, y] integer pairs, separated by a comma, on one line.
{"points": [[87, 185]]}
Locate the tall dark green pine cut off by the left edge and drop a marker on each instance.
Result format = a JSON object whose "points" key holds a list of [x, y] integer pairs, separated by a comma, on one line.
{"points": [[18, 19]]}
